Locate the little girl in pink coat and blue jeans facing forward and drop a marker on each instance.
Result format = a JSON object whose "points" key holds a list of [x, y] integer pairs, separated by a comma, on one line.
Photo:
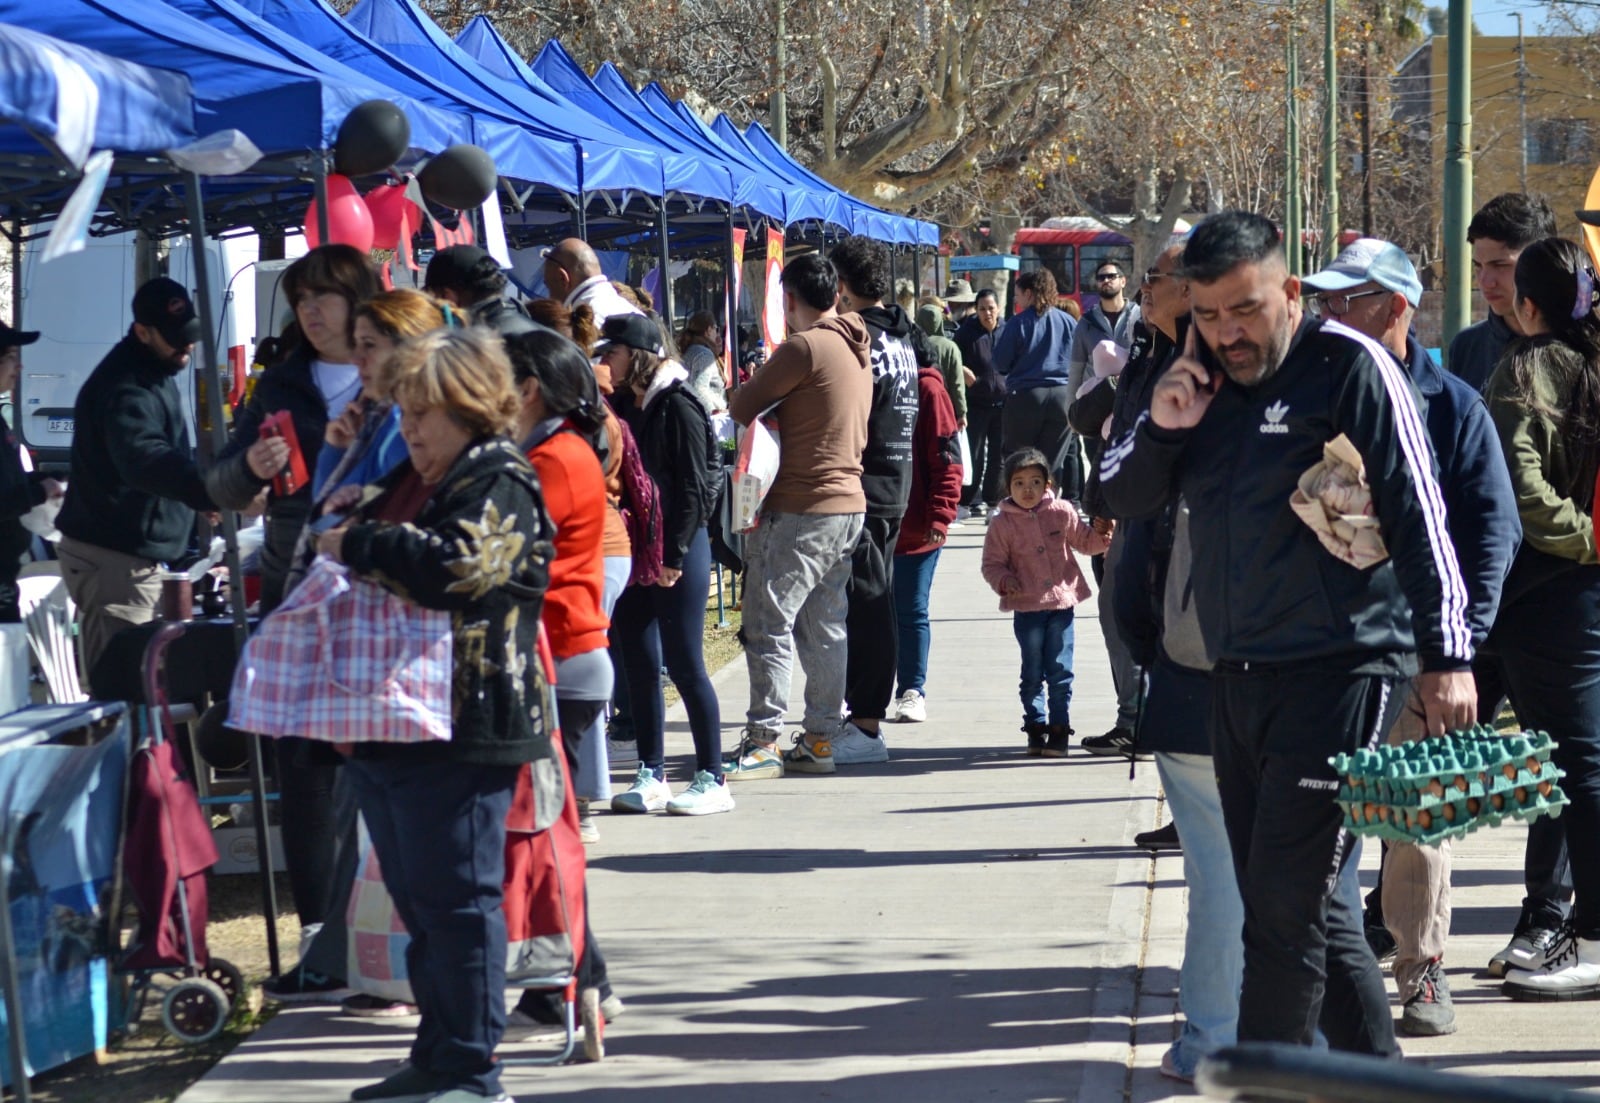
{"points": [[1028, 561]]}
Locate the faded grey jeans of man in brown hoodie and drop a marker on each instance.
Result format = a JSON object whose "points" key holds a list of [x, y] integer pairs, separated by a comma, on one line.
{"points": [[798, 568]]}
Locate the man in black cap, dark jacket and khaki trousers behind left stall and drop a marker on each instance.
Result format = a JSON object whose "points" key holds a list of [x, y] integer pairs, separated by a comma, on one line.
{"points": [[134, 487]]}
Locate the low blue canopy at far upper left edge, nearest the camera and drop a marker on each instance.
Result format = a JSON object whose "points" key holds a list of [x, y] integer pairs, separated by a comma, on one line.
{"points": [[140, 110]]}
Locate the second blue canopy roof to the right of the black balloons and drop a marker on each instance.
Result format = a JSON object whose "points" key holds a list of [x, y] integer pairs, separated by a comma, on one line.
{"points": [[610, 162]]}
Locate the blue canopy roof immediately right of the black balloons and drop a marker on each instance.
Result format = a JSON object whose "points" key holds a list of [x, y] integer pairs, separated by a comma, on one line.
{"points": [[519, 151]]}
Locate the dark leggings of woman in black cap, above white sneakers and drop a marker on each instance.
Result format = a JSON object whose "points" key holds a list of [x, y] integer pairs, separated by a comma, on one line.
{"points": [[670, 622]]}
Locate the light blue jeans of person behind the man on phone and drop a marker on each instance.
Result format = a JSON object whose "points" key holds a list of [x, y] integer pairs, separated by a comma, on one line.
{"points": [[1215, 925]]}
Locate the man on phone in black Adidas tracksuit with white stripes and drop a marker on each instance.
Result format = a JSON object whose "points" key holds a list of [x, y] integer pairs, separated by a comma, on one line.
{"points": [[1313, 654]]}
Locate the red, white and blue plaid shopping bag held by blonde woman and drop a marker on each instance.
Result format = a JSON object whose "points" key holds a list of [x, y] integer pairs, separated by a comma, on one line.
{"points": [[346, 662]]}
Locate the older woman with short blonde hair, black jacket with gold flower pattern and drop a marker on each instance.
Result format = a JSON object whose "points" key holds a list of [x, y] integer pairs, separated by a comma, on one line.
{"points": [[460, 527]]}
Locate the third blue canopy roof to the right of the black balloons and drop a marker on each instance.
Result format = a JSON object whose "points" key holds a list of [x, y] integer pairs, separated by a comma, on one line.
{"points": [[564, 78]]}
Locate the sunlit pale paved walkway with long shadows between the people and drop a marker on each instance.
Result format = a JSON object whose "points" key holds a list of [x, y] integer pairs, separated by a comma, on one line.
{"points": [[958, 925]]}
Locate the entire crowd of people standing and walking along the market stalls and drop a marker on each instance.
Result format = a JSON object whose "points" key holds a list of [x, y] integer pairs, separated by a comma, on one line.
{"points": [[558, 468]]}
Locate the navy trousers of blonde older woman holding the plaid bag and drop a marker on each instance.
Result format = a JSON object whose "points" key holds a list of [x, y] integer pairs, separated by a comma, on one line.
{"points": [[439, 832]]}
